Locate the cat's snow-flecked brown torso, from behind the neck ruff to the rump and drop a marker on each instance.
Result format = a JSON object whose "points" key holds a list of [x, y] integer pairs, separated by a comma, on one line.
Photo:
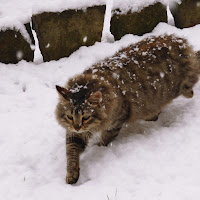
{"points": [[151, 73]]}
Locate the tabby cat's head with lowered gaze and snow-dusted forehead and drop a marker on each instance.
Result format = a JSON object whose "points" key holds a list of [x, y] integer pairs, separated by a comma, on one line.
{"points": [[80, 111]]}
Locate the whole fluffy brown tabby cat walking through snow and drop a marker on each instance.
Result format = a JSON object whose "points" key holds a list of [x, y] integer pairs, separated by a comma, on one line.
{"points": [[135, 83]]}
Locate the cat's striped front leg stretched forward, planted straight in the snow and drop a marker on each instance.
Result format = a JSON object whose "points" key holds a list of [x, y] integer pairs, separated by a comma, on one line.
{"points": [[75, 146]]}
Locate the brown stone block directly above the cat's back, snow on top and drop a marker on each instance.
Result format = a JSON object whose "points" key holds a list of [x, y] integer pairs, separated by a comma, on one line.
{"points": [[138, 23]]}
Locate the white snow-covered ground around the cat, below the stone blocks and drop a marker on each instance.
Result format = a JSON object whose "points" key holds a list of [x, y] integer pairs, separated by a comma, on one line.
{"points": [[149, 160]]}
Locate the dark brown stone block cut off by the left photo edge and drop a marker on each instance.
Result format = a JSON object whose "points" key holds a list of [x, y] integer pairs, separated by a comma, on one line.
{"points": [[14, 47]]}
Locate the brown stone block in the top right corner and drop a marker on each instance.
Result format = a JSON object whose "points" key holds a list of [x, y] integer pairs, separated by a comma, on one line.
{"points": [[187, 14]]}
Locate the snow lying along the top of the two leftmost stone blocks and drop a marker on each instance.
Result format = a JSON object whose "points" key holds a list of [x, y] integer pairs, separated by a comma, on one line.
{"points": [[22, 10]]}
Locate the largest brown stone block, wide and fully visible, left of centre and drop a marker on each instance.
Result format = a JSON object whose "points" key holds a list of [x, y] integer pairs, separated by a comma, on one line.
{"points": [[60, 34]]}
